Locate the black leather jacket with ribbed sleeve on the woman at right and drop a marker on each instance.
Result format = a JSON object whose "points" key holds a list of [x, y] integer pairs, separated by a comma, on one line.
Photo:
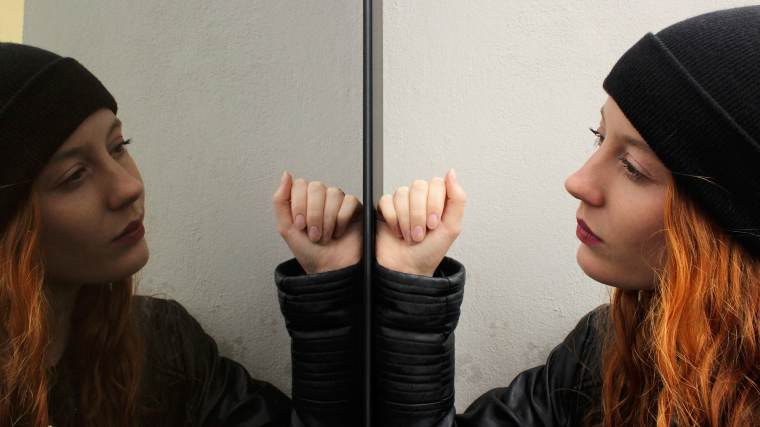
{"points": [[415, 317]]}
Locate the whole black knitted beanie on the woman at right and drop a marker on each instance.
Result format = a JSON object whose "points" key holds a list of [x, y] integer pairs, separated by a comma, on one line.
{"points": [[693, 93]]}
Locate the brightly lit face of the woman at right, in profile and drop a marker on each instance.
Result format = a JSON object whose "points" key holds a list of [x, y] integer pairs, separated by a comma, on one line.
{"points": [[622, 189]]}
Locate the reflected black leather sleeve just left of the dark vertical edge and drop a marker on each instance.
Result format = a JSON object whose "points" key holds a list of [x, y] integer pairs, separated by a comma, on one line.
{"points": [[322, 316]]}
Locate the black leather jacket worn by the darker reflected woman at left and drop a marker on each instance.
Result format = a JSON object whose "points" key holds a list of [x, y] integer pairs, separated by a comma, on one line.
{"points": [[187, 383]]}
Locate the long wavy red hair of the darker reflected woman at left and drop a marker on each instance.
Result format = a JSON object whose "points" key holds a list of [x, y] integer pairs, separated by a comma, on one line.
{"points": [[103, 338]]}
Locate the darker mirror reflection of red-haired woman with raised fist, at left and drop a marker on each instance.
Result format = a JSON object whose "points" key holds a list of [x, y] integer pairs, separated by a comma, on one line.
{"points": [[77, 346]]}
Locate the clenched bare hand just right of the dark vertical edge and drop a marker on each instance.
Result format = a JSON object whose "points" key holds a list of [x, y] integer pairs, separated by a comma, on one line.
{"points": [[410, 236]]}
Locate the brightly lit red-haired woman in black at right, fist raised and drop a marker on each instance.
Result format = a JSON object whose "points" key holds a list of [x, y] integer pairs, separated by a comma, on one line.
{"points": [[669, 215]]}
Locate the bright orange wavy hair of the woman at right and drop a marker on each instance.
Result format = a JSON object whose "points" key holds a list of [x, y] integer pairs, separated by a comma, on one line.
{"points": [[688, 351]]}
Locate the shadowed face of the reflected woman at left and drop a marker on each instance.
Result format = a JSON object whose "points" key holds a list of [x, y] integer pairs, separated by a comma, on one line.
{"points": [[89, 192]]}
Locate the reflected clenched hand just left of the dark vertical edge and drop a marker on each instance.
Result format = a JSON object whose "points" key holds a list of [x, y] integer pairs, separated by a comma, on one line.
{"points": [[322, 226]]}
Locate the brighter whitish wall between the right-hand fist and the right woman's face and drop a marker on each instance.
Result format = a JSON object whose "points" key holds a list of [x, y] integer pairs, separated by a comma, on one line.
{"points": [[504, 91]]}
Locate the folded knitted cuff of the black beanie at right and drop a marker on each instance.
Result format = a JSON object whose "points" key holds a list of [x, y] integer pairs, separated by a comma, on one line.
{"points": [[691, 134]]}
